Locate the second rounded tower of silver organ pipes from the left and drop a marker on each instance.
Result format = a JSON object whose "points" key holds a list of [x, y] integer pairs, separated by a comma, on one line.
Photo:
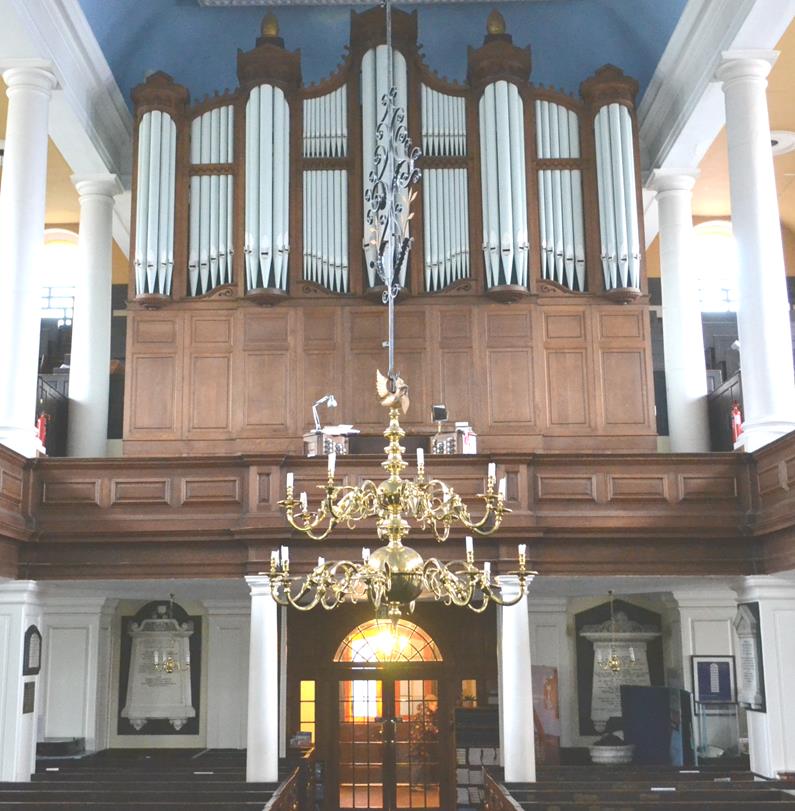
{"points": [[267, 188]]}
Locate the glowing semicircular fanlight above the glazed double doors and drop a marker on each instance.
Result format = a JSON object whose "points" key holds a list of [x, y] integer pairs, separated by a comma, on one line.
{"points": [[377, 641]]}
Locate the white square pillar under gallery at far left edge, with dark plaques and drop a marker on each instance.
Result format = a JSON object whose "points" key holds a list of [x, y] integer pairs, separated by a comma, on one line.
{"points": [[19, 608]]}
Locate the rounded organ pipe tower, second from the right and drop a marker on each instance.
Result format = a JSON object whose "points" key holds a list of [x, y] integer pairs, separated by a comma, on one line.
{"points": [[505, 243]]}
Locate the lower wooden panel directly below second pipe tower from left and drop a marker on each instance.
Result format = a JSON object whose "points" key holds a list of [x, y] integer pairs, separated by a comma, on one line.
{"points": [[266, 394]]}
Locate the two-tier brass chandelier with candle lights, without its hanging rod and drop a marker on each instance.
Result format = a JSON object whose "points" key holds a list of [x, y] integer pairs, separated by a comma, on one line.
{"points": [[394, 576]]}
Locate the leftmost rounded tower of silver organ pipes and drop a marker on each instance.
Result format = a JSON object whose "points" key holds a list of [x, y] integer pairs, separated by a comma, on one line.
{"points": [[156, 176]]}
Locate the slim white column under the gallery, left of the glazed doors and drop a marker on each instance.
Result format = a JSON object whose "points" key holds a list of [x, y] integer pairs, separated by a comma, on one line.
{"points": [[262, 755]]}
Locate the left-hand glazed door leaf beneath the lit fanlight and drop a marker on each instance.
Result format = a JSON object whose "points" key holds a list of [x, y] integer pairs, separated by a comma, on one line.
{"points": [[361, 744]]}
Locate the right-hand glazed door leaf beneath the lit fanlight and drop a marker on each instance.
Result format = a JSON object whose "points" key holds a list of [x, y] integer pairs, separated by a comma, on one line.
{"points": [[417, 747]]}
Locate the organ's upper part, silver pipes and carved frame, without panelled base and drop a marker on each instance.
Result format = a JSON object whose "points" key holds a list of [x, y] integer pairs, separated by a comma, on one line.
{"points": [[524, 189]]}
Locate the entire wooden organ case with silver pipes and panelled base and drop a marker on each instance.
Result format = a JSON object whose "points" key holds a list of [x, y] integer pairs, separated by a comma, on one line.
{"points": [[525, 306]]}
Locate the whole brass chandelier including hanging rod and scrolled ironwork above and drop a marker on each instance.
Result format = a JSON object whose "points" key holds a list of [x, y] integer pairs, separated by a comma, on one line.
{"points": [[393, 576]]}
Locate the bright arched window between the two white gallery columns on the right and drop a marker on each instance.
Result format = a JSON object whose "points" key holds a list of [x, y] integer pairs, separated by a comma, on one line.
{"points": [[717, 266]]}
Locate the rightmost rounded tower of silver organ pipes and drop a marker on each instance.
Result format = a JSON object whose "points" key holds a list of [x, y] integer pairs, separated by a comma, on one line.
{"points": [[618, 213]]}
